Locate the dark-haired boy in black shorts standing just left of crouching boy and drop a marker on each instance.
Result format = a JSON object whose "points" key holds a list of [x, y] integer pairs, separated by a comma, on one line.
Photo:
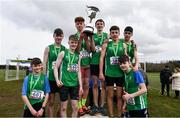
{"points": [[111, 51]]}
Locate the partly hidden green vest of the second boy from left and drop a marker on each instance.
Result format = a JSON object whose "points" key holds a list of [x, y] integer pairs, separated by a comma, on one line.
{"points": [[53, 54]]}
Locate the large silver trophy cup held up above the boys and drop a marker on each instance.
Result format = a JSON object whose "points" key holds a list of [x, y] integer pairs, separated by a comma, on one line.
{"points": [[91, 11]]}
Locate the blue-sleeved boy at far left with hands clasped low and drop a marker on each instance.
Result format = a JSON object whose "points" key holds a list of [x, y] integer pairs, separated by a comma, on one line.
{"points": [[35, 91]]}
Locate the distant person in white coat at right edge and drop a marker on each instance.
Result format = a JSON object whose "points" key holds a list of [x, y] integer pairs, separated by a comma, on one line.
{"points": [[175, 80]]}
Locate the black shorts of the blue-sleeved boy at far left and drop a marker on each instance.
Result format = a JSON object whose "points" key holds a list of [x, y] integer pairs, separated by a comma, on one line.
{"points": [[37, 107]]}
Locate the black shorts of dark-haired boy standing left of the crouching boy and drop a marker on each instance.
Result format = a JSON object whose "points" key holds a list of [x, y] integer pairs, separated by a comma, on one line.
{"points": [[110, 81]]}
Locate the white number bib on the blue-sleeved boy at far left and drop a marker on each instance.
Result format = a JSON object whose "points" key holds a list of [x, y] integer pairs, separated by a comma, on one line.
{"points": [[37, 94]]}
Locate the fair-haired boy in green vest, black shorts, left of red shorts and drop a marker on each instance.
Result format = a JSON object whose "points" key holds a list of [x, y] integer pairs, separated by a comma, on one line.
{"points": [[70, 82]]}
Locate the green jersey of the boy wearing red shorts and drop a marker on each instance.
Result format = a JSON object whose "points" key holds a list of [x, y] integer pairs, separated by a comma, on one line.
{"points": [[85, 55]]}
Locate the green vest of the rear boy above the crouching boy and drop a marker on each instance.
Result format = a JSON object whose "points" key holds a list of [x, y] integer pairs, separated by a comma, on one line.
{"points": [[130, 50]]}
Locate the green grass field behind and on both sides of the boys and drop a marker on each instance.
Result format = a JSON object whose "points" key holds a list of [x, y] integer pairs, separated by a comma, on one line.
{"points": [[11, 104]]}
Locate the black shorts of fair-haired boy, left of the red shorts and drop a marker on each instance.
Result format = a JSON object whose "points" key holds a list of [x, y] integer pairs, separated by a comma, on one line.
{"points": [[66, 91]]}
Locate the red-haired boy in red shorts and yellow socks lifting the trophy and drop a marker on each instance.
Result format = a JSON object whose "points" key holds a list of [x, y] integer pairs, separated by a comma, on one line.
{"points": [[84, 49]]}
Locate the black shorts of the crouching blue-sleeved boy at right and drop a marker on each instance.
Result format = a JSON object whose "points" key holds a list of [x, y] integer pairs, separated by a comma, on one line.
{"points": [[139, 113]]}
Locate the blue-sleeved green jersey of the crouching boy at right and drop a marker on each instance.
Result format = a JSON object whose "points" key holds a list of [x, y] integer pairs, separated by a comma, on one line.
{"points": [[132, 81]]}
